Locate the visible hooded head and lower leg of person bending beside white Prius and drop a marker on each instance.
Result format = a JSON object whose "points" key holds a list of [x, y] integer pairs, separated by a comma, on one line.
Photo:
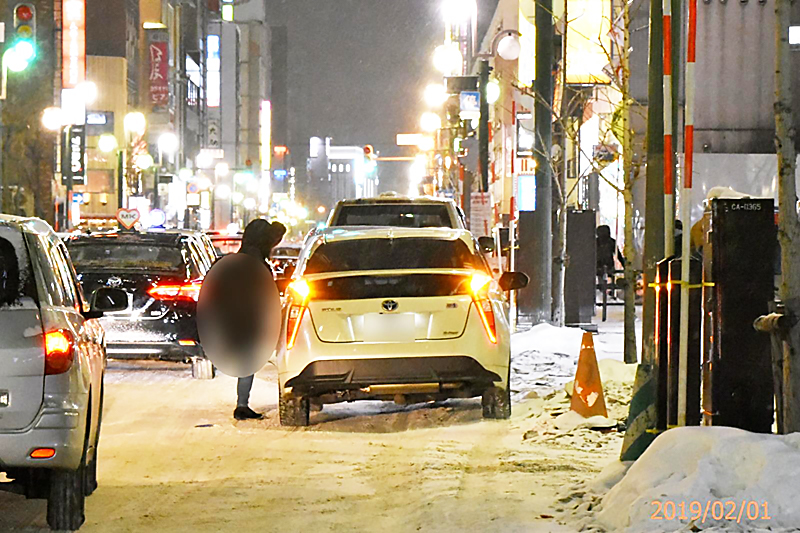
{"points": [[258, 240]]}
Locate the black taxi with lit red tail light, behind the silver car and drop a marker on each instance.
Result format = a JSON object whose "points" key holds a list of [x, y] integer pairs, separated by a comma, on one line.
{"points": [[161, 273]]}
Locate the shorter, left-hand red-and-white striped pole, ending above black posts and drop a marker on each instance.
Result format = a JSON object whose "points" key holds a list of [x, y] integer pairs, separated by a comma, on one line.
{"points": [[669, 165]]}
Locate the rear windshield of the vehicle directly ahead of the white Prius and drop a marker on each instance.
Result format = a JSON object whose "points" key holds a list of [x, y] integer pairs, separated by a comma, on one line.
{"points": [[403, 215]]}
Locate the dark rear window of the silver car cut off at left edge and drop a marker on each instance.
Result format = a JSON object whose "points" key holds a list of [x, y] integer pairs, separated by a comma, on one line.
{"points": [[17, 285]]}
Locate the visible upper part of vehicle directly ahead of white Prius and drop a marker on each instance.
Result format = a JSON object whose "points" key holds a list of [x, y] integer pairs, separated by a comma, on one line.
{"points": [[390, 209]]}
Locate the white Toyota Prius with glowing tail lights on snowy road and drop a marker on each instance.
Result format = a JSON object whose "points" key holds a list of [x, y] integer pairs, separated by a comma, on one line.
{"points": [[402, 314]]}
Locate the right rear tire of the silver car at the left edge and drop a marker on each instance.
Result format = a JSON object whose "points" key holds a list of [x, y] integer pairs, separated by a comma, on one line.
{"points": [[67, 497]]}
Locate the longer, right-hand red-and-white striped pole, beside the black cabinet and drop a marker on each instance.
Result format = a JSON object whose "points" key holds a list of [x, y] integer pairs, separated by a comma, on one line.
{"points": [[685, 208]]}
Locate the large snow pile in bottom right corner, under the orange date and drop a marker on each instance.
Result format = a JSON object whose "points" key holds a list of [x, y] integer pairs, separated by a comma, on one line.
{"points": [[703, 478]]}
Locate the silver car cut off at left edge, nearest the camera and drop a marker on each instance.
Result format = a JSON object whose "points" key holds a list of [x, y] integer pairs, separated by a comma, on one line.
{"points": [[52, 361]]}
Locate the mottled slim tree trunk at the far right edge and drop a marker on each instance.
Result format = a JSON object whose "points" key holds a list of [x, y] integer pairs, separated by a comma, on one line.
{"points": [[788, 224]]}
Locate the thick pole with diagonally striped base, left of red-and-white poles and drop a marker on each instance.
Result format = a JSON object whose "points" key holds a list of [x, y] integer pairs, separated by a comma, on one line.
{"points": [[642, 413]]}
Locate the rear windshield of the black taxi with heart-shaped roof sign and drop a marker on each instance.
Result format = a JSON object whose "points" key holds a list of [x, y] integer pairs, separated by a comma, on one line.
{"points": [[132, 256]]}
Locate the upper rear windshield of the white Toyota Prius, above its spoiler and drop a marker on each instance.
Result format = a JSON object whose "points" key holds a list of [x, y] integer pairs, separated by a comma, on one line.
{"points": [[389, 254]]}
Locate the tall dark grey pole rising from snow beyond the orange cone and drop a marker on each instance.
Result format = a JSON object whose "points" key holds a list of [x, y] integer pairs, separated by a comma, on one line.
{"points": [[543, 123]]}
